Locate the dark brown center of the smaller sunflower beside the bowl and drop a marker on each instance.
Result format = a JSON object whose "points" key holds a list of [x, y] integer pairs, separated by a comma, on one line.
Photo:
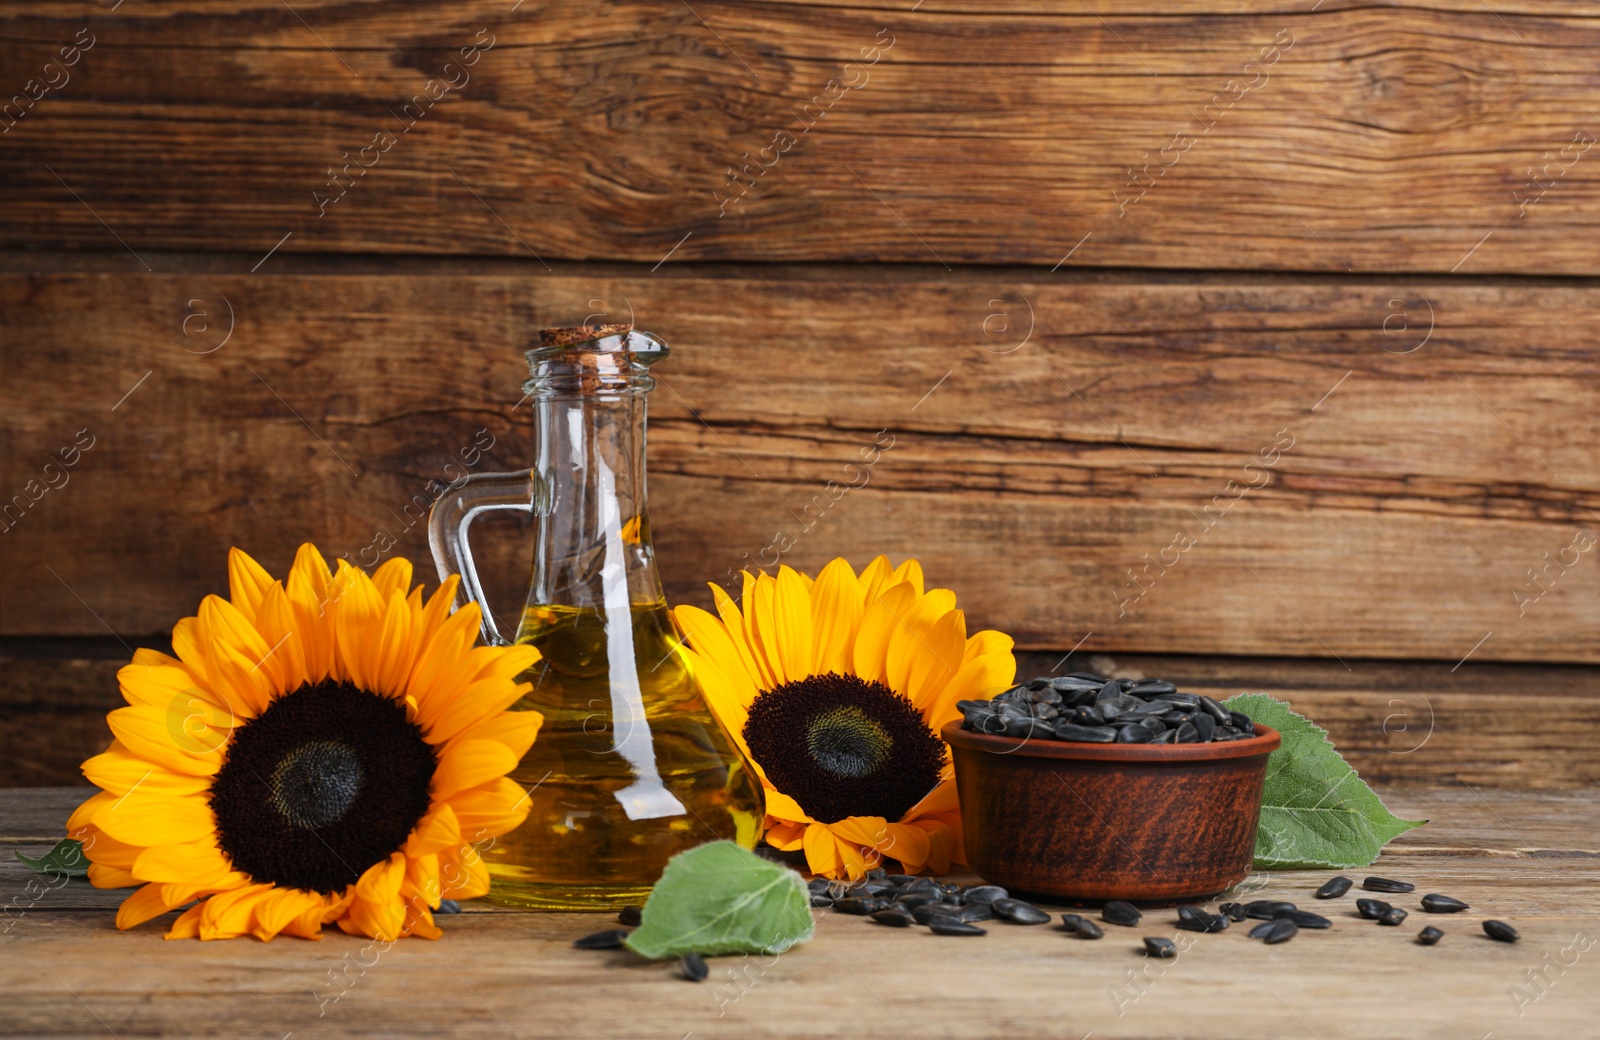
{"points": [[842, 746]]}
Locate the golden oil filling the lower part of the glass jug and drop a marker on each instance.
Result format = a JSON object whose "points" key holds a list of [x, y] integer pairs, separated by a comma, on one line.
{"points": [[628, 770]]}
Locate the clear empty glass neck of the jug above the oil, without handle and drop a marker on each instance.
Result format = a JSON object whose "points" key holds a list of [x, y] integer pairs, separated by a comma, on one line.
{"points": [[591, 402]]}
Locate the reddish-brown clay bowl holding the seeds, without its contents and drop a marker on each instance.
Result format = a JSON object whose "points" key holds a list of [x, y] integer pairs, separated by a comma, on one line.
{"points": [[1166, 823]]}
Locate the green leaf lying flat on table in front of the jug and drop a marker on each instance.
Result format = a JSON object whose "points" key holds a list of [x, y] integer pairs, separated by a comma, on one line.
{"points": [[721, 898]]}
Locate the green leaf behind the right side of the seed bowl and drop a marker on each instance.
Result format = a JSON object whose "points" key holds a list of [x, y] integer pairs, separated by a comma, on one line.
{"points": [[1316, 812]]}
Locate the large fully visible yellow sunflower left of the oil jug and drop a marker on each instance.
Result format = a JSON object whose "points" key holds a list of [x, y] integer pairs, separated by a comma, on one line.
{"points": [[322, 751]]}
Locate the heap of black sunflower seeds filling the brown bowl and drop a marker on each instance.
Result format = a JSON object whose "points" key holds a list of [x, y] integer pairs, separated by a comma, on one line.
{"points": [[1094, 710]]}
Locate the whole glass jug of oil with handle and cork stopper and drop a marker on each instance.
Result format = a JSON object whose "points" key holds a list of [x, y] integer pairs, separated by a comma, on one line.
{"points": [[630, 767]]}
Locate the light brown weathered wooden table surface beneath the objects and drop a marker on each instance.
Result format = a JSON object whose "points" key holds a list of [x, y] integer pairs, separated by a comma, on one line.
{"points": [[1530, 858]]}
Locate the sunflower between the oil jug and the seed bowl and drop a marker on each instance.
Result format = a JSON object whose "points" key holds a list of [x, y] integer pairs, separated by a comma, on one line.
{"points": [[836, 690]]}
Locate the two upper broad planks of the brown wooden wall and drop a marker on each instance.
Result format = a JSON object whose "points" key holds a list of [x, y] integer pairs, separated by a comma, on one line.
{"points": [[1252, 329]]}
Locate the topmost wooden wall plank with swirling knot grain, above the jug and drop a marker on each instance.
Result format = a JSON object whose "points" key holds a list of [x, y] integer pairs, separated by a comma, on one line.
{"points": [[1374, 138]]}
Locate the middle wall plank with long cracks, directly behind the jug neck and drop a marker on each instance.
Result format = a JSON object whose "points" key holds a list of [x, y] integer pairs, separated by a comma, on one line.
{"points": [[1044, 474]]}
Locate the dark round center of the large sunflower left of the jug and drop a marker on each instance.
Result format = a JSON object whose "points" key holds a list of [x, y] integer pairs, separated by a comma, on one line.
{"points": [[321, 786]]}
